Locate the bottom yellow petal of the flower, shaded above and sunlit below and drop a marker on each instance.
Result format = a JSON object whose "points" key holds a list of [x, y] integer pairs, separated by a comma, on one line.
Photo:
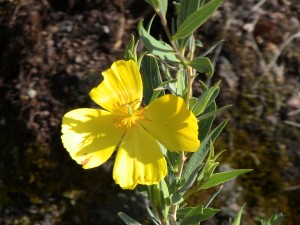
{"points": [[139, 160]]}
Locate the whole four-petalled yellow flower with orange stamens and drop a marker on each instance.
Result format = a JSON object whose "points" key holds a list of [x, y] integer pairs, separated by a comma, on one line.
{"points": [[92, 135]]}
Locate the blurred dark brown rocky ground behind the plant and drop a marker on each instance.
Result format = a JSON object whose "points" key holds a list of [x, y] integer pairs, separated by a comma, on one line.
{"points": [[52, 54]]}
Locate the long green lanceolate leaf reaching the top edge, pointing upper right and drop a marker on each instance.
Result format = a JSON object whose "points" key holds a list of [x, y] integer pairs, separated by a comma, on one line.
{"points": [[196, 19]]}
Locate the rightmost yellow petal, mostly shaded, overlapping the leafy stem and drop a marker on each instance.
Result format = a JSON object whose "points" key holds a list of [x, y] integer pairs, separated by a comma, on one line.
{"points": [[169, 121]]}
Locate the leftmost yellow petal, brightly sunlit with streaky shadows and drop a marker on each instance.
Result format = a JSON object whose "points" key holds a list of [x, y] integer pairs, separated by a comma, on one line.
{"points": [[89, 135]]}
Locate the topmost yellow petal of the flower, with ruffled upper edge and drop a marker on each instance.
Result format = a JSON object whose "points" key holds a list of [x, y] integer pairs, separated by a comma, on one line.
{"points": [[122, 85]]}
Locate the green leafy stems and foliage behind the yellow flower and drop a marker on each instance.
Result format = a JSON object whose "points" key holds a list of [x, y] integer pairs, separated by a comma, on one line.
{"points": [[172, 66]]}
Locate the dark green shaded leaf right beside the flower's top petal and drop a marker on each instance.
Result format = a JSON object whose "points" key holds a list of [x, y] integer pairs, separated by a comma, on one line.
{"points": [[151, 77]]}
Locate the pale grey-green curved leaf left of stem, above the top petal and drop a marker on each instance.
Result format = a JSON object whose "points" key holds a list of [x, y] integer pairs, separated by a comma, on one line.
{"points": [[157, 48]]}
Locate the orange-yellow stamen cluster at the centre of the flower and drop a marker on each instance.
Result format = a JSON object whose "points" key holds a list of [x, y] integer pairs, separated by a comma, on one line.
{"points": [[128, 115]]}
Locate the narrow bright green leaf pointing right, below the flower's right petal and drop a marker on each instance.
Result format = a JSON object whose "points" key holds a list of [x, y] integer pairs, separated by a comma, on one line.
{"points": [[219, 178]]}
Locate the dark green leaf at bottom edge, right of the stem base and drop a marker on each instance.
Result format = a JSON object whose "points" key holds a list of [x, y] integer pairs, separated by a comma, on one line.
{"points": [[195, 215]]}
